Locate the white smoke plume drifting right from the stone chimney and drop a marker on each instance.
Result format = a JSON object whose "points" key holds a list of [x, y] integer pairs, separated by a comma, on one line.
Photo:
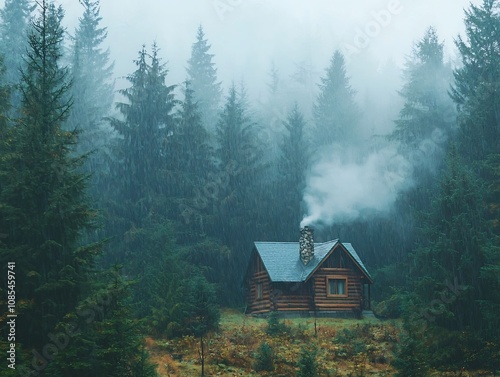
{"points": [[340, 190]]}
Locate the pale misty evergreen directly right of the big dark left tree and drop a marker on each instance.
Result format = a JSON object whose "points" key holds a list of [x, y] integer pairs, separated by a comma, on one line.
{"points": [[92, 89]]}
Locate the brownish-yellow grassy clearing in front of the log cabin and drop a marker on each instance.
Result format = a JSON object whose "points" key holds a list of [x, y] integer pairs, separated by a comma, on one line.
{"points": [[343, 347]]}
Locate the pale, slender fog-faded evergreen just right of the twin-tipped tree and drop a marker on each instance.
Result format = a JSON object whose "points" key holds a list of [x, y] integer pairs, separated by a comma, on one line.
{"points": [[203, 77]]}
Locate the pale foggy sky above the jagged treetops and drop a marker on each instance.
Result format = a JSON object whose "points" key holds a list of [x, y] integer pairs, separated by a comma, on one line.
{"points": [[246, 35]]}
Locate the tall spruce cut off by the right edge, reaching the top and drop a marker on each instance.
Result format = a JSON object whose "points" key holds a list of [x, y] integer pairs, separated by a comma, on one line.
{"points": [[476, 93]]}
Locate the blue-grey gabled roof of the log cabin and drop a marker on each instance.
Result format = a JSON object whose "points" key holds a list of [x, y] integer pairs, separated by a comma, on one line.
{"points": [[283, 263]]}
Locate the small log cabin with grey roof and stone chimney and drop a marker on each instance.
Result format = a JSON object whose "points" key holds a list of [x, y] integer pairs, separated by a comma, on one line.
{"points": [[326, 279]]}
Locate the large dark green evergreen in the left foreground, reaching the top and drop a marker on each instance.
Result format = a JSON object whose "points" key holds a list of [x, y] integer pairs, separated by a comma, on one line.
{"points": [[43, 203]]}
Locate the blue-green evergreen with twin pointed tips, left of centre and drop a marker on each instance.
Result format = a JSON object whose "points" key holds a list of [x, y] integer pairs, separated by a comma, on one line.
{"points": [[147, 122]]}
